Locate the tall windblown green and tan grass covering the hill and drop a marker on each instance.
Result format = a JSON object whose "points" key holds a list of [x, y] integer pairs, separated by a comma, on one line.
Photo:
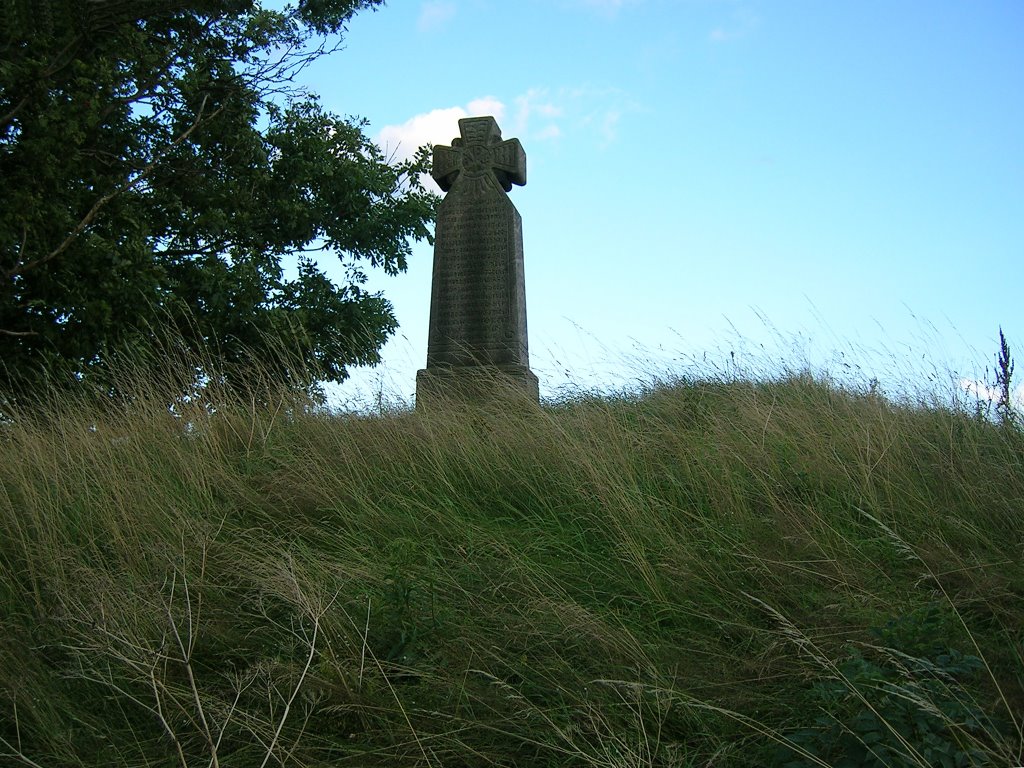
{"points": [[709, 574]]}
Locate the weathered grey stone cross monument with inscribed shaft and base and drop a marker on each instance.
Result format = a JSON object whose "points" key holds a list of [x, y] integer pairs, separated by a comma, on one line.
{"points": [[478, 336]]}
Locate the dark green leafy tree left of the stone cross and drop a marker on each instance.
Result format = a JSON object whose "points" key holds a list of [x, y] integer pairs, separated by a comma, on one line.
{"points": [[161, 168]]}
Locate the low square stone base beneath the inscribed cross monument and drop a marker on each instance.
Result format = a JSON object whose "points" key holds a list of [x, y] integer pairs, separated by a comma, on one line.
{"points": [[476, 385]]}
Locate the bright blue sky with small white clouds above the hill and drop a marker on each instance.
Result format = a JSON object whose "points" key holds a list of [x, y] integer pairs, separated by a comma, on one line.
{"points": [[798, 181]]}
